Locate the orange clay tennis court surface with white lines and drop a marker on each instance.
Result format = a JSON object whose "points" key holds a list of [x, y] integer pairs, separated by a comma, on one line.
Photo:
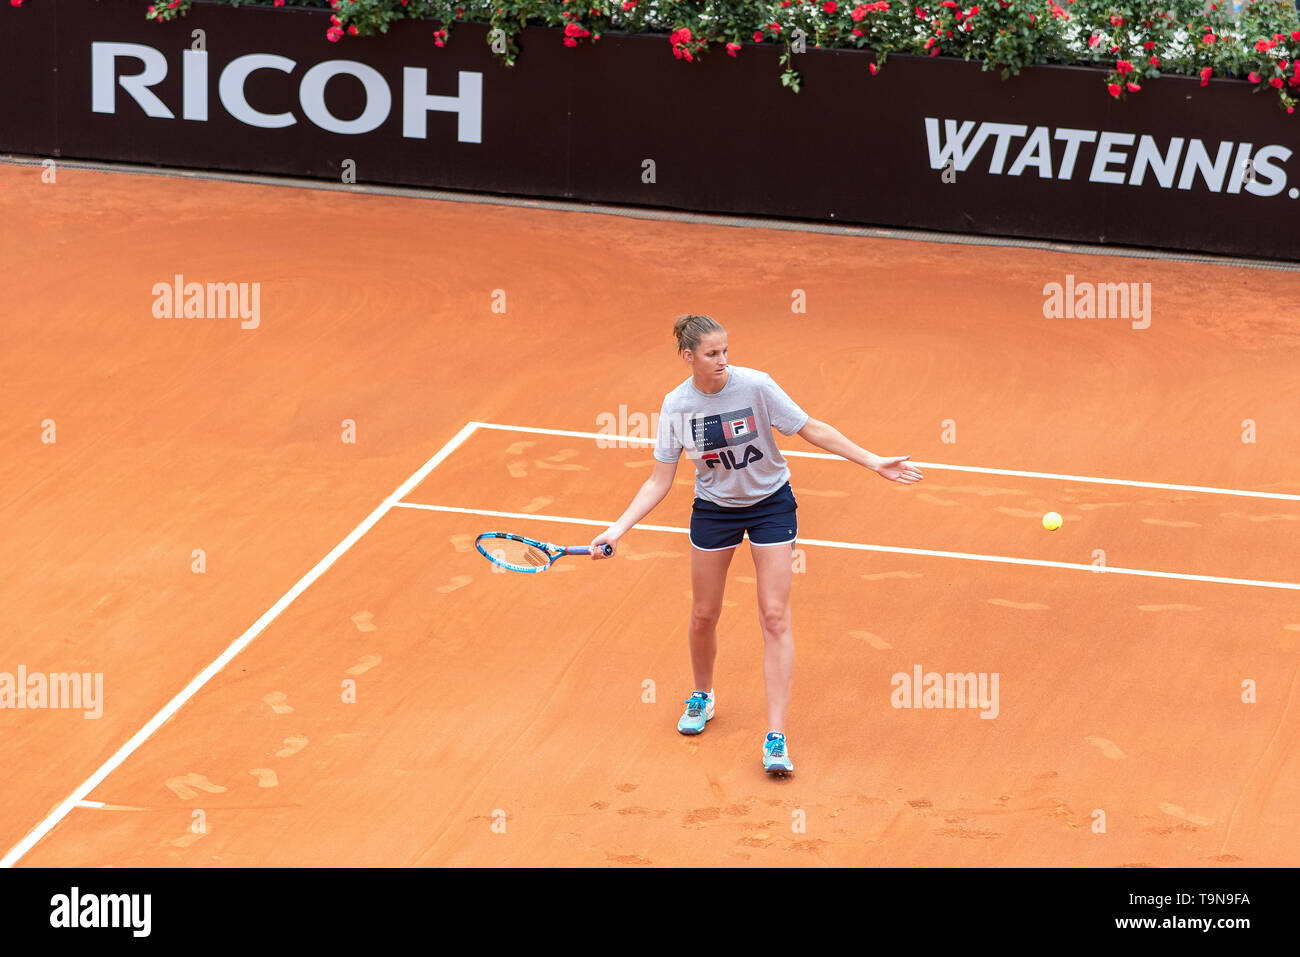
{"points": [[502, 718]]}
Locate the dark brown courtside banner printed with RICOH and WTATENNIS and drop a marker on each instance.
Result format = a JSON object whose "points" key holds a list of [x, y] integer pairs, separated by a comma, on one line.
{"points": [[926, 144]]}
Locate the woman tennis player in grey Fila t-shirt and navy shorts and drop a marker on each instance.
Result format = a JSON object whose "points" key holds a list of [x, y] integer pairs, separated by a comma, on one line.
{"points": [[723, 417]]}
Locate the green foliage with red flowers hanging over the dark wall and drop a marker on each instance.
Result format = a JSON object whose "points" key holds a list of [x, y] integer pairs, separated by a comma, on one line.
{"points": [[1138, 41]]}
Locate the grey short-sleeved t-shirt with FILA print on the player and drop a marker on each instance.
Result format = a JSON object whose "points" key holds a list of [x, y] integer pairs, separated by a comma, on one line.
{"points": [[729, 436]]}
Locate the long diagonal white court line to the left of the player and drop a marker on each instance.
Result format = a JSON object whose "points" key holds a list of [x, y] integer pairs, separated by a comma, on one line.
{"points": [[79, 796]]}
